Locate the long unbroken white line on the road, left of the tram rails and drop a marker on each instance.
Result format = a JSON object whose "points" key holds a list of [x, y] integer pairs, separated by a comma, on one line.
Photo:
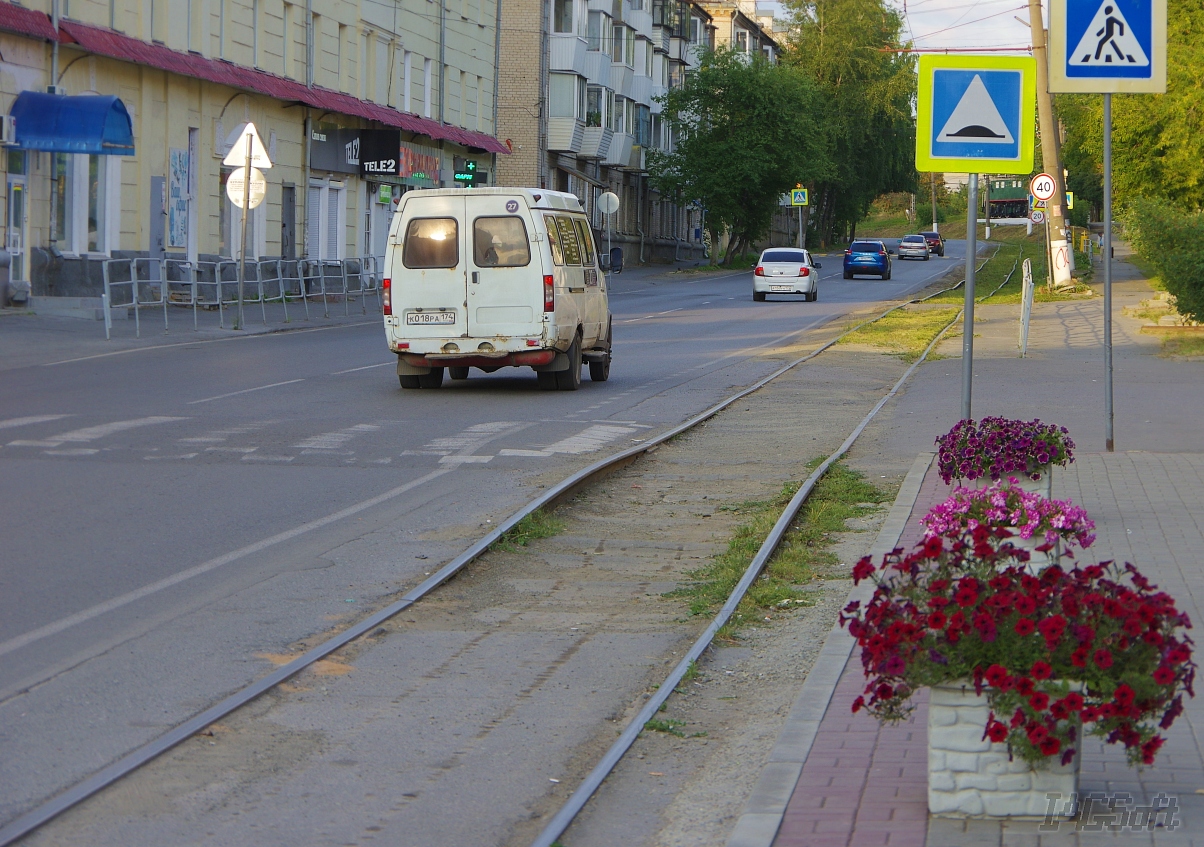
{"points": [[213, 564]]}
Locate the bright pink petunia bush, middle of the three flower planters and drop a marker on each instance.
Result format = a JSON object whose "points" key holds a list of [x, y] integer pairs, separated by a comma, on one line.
{"points": [[1004, 504]]}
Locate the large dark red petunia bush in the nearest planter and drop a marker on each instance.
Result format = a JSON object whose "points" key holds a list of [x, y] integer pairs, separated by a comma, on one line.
{"points": [[1093, 650]]}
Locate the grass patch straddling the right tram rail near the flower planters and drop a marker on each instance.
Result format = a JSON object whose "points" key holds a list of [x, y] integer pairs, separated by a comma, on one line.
{"points": [[804, 554]]}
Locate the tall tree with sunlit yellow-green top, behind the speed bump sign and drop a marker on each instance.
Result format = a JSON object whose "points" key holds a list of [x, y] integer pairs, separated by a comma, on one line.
{"points": [[849, 50]]}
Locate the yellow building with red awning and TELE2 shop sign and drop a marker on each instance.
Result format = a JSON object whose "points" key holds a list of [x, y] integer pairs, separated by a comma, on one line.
{"points": [[357, 102]]}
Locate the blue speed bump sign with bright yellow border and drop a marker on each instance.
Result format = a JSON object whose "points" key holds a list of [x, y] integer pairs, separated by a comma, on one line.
{"points": [[976, 114]]}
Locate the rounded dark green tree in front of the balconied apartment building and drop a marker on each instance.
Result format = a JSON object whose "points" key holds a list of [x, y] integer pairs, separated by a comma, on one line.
{"points": [[745, 134]]}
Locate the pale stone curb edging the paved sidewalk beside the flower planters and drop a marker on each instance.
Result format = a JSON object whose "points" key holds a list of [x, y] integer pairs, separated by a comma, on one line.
{"points": [[758, 827]]}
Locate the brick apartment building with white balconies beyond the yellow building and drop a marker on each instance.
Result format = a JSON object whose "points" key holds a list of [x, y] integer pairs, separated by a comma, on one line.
{"points": [[579, 108]]}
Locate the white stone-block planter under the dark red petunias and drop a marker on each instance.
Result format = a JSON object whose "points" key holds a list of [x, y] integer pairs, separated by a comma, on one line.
{"points": [[972, 778]]}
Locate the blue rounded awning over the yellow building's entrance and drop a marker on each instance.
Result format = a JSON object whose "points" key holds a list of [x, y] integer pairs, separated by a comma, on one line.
{"points": [[97, 125]]}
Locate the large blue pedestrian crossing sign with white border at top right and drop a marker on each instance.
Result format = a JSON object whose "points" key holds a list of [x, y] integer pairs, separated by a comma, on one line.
{"points": [[1108, 46]]}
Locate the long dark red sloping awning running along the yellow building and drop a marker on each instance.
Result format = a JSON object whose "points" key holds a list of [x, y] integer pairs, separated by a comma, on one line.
{"points": [[117, 46]]}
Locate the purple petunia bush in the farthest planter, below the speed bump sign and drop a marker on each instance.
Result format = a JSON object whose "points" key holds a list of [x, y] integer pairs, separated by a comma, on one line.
{"points": [[995, 448]]}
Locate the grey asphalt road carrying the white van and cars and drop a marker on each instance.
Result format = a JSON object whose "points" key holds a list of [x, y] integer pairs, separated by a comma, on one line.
{"points": [[176, 514]]}
